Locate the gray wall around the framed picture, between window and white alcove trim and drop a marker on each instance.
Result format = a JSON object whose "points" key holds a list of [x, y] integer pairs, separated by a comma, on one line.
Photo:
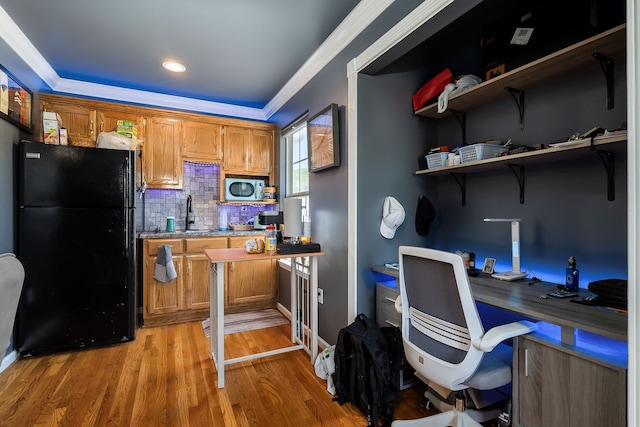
{"points": [[328, 188]]}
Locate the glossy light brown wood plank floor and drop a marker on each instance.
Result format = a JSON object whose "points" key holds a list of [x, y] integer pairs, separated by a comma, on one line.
{"points": [[165, 377]]}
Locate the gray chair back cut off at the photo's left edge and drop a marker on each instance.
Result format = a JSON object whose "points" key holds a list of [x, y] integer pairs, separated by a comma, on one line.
{"points": [[11, 281]]}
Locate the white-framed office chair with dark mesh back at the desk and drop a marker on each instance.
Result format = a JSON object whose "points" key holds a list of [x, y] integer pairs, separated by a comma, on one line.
{"points": [[444, 340]]}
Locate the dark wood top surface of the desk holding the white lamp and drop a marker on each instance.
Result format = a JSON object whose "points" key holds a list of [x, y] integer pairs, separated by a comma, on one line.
{"points": [[522, 298]]}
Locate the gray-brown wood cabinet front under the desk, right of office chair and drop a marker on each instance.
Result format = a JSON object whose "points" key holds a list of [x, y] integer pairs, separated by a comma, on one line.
{"points": [[557, 386]]}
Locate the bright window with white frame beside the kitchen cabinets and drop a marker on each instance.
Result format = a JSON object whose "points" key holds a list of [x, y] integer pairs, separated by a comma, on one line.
{"points": [[297, 164]]}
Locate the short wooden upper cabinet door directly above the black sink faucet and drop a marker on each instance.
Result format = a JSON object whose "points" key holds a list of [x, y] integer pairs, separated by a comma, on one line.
{"points": [[201, 141]]}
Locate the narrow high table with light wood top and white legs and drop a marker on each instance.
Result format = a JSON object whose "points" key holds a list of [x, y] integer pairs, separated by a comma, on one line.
{"points": [[217, 258]]}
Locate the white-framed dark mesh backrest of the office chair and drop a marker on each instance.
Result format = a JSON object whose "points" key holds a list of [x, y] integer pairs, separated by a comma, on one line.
{"points": [[439, 316]]}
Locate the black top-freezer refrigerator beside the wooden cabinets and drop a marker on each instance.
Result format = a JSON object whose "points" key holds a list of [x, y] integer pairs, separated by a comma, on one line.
{"points": [[76, 240]]}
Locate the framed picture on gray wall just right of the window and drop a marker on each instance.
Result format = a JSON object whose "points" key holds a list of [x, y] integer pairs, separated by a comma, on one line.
{"points": [[323, 139]]}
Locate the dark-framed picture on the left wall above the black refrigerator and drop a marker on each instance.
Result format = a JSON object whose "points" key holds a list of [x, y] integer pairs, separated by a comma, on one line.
{"points": [[15, 101]]}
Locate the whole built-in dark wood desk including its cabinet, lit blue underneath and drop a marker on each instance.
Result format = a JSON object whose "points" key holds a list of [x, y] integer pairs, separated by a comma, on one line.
{"points": [[571, 381]]}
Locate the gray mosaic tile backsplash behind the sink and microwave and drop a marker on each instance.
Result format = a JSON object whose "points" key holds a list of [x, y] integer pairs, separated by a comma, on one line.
{"points": [[202, 182]]}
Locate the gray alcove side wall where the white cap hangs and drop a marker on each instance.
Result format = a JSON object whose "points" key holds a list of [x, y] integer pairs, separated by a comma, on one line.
{"points": [[390, 141]]}
